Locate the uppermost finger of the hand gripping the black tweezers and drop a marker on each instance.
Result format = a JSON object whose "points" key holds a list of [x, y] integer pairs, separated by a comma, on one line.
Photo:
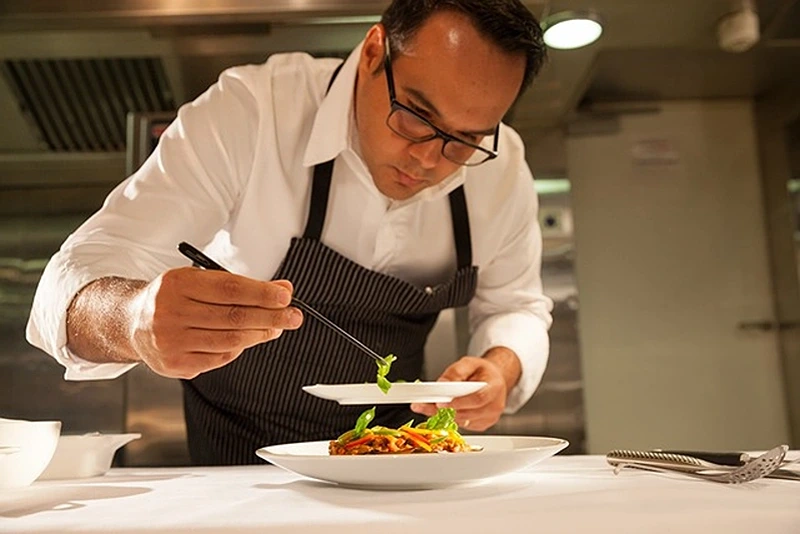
{"points": [[219, 287]]}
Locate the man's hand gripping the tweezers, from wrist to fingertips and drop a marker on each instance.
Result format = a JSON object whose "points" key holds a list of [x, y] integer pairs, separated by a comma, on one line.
{"points": [[189, 321]]}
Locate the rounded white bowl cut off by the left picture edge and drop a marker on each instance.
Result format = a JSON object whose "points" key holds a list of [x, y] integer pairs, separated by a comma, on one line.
{"points": [[28, 447]]}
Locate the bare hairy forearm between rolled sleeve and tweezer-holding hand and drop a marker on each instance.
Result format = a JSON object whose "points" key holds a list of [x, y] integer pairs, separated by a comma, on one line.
{"points": [[99, 321]]}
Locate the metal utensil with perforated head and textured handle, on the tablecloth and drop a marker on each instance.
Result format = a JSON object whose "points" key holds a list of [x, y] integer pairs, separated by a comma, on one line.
{"points": [[753, 469]]}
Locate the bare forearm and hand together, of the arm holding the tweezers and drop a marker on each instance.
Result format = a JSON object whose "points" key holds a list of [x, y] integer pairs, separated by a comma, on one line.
{"points": [[185, 322]]}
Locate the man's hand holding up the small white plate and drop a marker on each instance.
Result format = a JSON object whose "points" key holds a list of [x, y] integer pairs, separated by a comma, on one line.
{"points": [[499, 368]]}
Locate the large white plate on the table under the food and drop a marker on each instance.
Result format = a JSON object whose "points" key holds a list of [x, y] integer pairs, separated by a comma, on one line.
{"points": [[501, 454]]}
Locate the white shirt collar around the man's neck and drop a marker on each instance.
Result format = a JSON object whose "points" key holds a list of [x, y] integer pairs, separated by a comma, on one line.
{"points": [[334, 132]]}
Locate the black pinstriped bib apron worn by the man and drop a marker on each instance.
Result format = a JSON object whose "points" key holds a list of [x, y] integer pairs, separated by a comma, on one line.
{"points": [[257, 399]]}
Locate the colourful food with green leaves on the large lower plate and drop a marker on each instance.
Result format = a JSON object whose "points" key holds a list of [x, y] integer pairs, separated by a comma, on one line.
{"points": [[437, 434]]}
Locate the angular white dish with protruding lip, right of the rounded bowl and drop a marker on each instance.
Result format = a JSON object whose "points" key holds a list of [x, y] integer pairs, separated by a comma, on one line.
{"points": [[86, 455]]}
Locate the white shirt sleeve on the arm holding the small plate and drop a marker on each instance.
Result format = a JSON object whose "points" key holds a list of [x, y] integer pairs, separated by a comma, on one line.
{"points": [[510, 309]]}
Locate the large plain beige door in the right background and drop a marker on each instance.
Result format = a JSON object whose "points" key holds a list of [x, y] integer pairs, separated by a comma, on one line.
{"points": [[672, 269]]}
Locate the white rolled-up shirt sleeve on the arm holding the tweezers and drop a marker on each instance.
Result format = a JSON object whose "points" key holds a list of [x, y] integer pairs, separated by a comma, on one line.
{"points": [[185, 191]]}
